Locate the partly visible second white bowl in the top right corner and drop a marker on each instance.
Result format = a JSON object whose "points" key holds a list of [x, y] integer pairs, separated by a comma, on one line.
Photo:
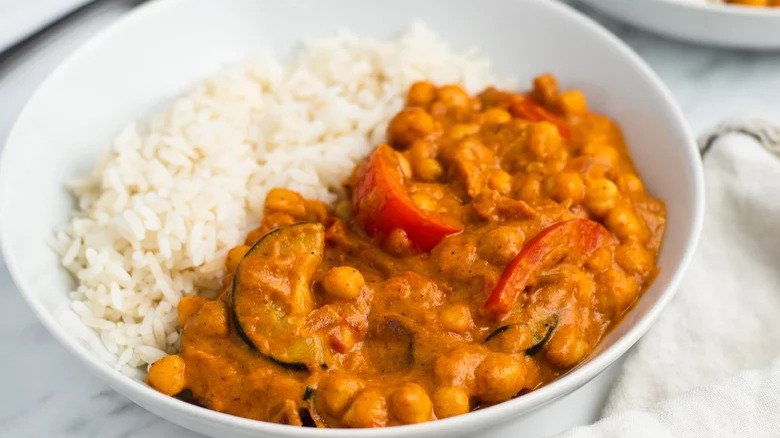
{"points": [[698, 22]]}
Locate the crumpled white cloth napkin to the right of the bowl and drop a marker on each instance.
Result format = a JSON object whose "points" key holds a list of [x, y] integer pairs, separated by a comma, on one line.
{"points": [[709, 367]]}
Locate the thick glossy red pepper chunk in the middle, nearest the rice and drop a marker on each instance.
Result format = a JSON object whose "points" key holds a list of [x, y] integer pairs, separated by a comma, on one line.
{"points": [[381, 204]]}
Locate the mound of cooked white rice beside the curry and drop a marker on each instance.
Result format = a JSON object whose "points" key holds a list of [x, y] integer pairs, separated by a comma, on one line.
{"points": [[158, 214]]}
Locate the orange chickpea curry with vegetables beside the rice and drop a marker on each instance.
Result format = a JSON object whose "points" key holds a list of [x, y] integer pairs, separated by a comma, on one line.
{"points": [[482, 252]]}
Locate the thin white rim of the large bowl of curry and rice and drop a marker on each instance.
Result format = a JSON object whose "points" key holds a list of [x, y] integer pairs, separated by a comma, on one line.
{"points": [[136, 390]]}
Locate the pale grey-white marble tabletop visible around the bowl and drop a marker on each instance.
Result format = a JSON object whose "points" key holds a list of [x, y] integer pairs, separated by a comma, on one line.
{"points": [[45, 392]]}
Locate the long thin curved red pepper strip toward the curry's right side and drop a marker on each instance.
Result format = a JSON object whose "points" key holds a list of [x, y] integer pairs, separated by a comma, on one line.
{"points": [[578, 237]]}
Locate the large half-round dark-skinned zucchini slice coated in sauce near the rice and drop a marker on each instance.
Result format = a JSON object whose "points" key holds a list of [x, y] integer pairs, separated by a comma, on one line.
{"points": [[272, 296]]}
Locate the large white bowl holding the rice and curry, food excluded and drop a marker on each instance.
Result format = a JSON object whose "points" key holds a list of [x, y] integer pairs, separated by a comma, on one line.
{"points": [[162, 48]]}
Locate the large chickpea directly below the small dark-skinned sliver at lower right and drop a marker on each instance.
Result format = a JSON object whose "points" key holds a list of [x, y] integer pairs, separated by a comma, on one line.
{"points": [[499, 378]]}
